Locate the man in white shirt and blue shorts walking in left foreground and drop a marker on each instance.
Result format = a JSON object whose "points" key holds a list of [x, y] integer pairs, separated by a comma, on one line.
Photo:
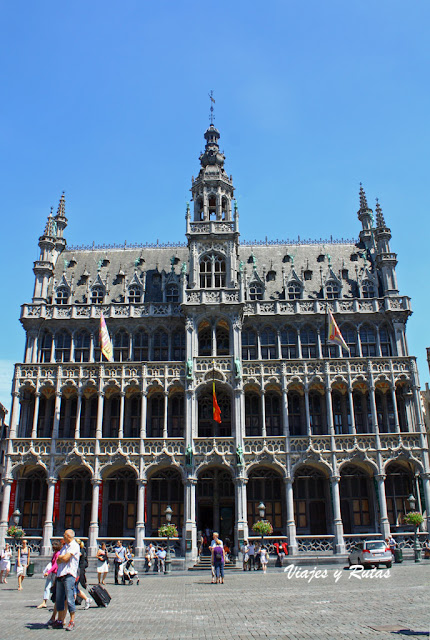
{"points": [[68, 567]]}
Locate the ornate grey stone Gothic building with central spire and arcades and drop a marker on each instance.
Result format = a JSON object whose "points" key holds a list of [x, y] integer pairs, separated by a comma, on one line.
{"points": [[333, 443]]}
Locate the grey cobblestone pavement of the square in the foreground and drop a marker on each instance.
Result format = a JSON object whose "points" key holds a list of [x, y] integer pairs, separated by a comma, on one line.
{"points": [[279, 605]]}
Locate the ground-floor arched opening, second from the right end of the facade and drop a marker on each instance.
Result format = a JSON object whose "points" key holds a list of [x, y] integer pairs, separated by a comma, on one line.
{"points": [[354, 499]]}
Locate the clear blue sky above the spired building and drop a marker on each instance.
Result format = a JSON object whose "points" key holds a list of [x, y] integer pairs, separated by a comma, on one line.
{"points": [[109, 102]]}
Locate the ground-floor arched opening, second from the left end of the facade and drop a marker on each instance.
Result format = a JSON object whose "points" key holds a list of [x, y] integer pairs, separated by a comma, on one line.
{"points": [[77, 502]]}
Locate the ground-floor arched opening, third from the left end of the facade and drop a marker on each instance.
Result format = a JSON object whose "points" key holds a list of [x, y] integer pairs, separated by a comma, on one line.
{"points": [[121, 492]]}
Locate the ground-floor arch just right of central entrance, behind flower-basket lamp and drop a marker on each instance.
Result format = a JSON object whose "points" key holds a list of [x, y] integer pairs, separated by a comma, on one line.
{"points": [[265, 485]]}
